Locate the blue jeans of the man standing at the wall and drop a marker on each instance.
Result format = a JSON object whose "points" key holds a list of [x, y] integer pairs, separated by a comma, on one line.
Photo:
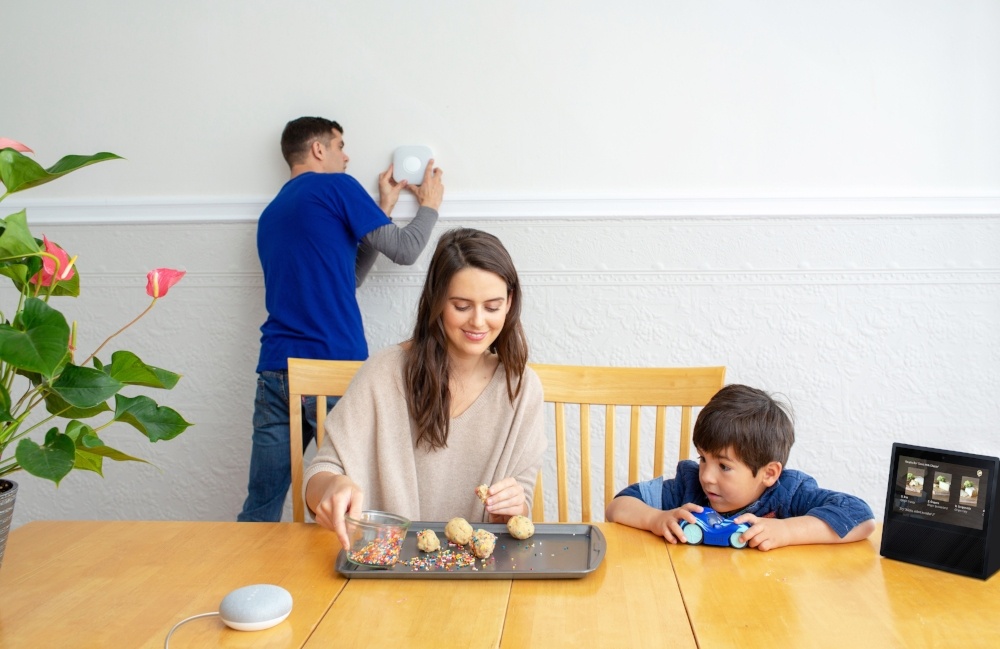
{"points": [[270, 459]]}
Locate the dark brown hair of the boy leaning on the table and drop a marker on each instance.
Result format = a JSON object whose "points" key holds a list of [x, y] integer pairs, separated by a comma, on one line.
{"points": [[748, 421]]}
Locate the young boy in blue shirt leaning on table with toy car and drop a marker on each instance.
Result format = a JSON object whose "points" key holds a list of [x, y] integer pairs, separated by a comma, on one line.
{"points": [[743, 438]]}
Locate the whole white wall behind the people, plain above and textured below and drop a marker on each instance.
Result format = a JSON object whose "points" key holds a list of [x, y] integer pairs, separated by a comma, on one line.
{"points": [[808, 194]]}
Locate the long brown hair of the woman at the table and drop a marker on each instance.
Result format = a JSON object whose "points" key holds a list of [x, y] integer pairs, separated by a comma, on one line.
{"points": [[426, 368]]}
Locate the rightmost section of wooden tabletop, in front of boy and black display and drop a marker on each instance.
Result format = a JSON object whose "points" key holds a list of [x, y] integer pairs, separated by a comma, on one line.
{"points": [[831, 596]]}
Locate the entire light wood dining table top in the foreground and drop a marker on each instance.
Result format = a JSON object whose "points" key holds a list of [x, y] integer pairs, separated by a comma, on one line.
{"points": [[127, 583]]}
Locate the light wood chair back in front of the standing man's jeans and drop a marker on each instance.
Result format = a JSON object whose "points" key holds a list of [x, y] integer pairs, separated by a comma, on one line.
{"points": [[311, 378]]}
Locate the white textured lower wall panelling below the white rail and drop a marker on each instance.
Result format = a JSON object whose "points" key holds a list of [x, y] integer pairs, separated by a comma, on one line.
{"points": [[874, 328]]}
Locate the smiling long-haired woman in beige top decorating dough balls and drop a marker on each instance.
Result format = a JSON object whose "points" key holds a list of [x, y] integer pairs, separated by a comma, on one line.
{"points": [[424, 423]]}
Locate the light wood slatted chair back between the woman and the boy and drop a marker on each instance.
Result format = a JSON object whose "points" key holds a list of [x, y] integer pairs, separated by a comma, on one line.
{"points": [[584, 386]]}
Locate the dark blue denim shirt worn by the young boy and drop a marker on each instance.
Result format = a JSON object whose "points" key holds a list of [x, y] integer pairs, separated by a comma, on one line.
{"points": [[794, 494]]}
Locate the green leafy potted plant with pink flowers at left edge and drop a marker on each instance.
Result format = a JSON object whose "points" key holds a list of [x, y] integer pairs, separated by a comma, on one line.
{"points": [[48, 400]]}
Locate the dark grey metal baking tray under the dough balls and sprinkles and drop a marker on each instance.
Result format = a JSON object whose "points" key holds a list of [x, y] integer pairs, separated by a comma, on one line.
{"points": [[555, 551]]}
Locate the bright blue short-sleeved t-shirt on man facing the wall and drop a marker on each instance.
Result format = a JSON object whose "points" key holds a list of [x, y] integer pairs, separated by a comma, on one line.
{"points": [[307, 241]]}
